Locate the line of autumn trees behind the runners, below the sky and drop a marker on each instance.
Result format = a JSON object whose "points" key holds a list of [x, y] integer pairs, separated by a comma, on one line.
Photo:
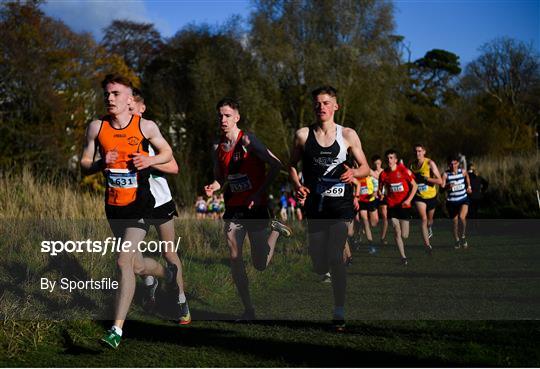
{"points": [[49, 84]]}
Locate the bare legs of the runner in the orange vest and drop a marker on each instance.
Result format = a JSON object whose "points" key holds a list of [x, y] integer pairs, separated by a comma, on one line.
{"points": [[129, 263]]}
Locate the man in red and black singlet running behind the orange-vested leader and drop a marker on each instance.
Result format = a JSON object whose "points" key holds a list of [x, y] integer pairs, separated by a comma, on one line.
{"points": [[240, 167]]}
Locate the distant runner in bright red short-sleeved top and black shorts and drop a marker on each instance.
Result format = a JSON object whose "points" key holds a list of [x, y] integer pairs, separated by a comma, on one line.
{"points": [[399, 186]]}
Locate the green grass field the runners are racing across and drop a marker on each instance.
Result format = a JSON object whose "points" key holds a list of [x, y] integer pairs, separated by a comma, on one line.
{"points": [[475, 307]]}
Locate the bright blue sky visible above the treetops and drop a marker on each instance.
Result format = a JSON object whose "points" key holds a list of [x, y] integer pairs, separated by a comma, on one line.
{"points": [[459, 26]]}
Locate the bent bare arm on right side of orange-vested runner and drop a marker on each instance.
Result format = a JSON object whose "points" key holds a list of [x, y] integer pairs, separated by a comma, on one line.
{"points": [[150, 130]]}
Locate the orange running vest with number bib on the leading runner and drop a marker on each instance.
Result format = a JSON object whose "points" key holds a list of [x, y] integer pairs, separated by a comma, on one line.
{"points": [[123, 179]]}
